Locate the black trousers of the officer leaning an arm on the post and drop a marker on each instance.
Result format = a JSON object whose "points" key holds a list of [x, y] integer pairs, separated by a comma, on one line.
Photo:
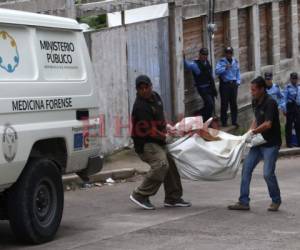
{"points": [[208, 98]]}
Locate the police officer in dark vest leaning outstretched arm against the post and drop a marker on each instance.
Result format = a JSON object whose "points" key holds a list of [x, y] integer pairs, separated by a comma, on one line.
{"points": [[204, 82]]}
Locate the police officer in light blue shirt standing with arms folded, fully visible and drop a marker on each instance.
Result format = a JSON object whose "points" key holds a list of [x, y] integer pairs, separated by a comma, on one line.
{"points": [[228, 70]]}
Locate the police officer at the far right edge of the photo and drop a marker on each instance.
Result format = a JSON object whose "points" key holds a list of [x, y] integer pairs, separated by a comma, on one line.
{"points": [[292, 109]]}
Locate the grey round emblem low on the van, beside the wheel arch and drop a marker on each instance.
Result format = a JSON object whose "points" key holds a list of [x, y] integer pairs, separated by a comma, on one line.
{"points": [[9, 143]]}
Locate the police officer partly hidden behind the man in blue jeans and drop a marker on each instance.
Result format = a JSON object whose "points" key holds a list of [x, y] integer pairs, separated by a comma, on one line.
{"points": [[274, 91]]}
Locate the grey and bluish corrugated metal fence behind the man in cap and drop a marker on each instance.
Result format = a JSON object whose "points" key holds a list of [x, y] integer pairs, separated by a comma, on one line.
{"points": [[119, 55]]}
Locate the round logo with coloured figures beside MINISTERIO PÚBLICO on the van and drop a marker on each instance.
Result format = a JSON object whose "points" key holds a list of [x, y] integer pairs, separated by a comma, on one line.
{"points": [[9, 55]]}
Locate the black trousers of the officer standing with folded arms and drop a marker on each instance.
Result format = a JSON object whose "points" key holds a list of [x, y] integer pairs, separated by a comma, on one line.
{"points": [[228, 94]]}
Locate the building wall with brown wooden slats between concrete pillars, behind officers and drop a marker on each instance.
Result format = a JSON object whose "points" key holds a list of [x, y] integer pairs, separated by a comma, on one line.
{"points": [[264, 34]]}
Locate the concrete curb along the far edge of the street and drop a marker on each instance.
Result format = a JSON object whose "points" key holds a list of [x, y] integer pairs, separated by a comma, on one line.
{"points": [[125, 173]]}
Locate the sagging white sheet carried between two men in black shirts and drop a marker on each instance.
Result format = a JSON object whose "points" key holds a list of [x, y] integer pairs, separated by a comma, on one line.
{"points": [[197, 159]]}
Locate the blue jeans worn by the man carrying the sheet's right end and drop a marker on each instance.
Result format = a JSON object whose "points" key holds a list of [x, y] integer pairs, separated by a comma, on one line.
{"points": [[269, 156]]}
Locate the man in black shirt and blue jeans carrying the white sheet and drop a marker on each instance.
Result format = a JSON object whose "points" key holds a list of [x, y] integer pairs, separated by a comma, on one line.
{"points": [[267, 123]]}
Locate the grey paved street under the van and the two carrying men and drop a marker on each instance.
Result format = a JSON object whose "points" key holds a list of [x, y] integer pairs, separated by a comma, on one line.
{"points": [[104, 218]]}
